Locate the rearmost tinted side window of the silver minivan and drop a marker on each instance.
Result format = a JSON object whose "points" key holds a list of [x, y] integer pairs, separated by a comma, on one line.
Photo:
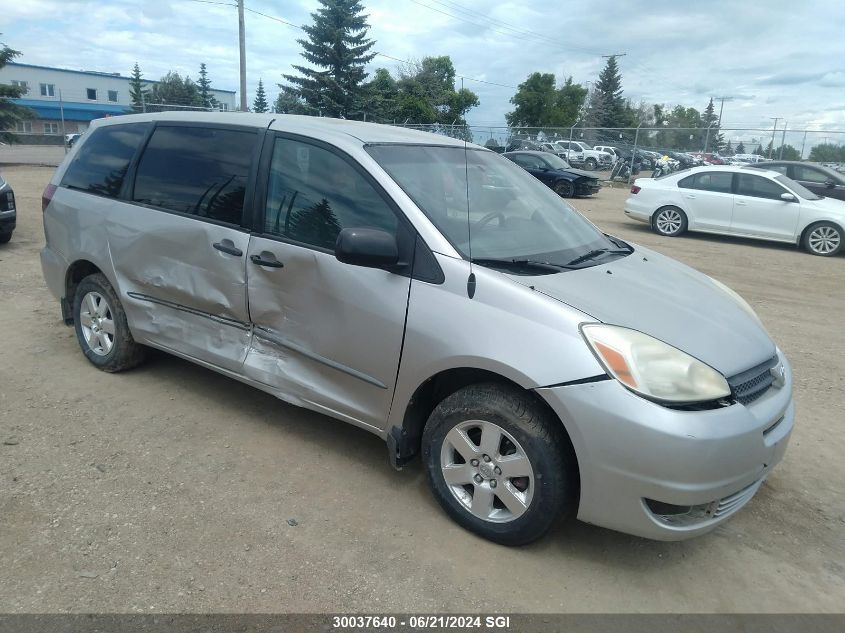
{"points": [[102, 161]]}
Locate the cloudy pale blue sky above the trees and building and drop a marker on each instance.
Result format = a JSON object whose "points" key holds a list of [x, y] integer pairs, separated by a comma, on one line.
{"points": [[774, 58]]}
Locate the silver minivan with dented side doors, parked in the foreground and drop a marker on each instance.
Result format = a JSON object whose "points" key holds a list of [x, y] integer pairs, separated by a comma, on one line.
{"points": [[433, 293]]}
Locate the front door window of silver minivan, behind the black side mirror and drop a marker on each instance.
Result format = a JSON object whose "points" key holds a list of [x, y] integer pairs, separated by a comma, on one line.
{"points": [[312, 194]]}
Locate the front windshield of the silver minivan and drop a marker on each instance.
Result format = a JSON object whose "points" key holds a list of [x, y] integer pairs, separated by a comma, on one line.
{"points": [[512, 215]]}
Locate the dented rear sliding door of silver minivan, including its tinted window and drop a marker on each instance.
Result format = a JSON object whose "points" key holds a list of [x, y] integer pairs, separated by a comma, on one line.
{"points": [[179, 248]]}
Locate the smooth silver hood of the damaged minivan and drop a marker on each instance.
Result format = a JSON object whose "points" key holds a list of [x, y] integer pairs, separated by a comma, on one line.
{"points": [[672, 302]]}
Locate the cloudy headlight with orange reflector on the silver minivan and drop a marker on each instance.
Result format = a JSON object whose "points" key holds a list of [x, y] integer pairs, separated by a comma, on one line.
{"points": [[653, 368]]}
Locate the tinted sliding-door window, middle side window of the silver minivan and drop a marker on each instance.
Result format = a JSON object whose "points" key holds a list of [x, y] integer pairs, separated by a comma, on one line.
{"points": [[196, 170]]}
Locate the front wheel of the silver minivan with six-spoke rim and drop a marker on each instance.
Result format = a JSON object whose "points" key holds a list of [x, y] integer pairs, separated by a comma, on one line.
{"points": [[499, 463]]}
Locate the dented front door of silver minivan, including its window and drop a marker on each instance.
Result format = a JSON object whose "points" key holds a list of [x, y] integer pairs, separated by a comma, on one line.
{"points": [[326, 335]]}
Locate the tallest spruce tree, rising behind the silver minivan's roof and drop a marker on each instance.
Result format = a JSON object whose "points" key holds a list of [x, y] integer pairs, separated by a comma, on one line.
{"points": [[338, 46]]}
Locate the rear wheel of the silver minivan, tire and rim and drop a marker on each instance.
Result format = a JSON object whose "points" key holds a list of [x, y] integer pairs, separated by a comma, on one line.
{"points": [[101, 327]]}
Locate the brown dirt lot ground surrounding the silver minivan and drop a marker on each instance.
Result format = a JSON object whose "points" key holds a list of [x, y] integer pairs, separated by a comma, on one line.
{"points": [[171, 488]]}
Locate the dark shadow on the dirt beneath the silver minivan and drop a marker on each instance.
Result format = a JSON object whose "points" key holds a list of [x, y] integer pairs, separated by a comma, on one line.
{"points": [[336, 439]]}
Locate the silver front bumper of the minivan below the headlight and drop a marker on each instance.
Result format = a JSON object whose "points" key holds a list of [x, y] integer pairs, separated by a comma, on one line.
{"points": [[631, 450]]}
